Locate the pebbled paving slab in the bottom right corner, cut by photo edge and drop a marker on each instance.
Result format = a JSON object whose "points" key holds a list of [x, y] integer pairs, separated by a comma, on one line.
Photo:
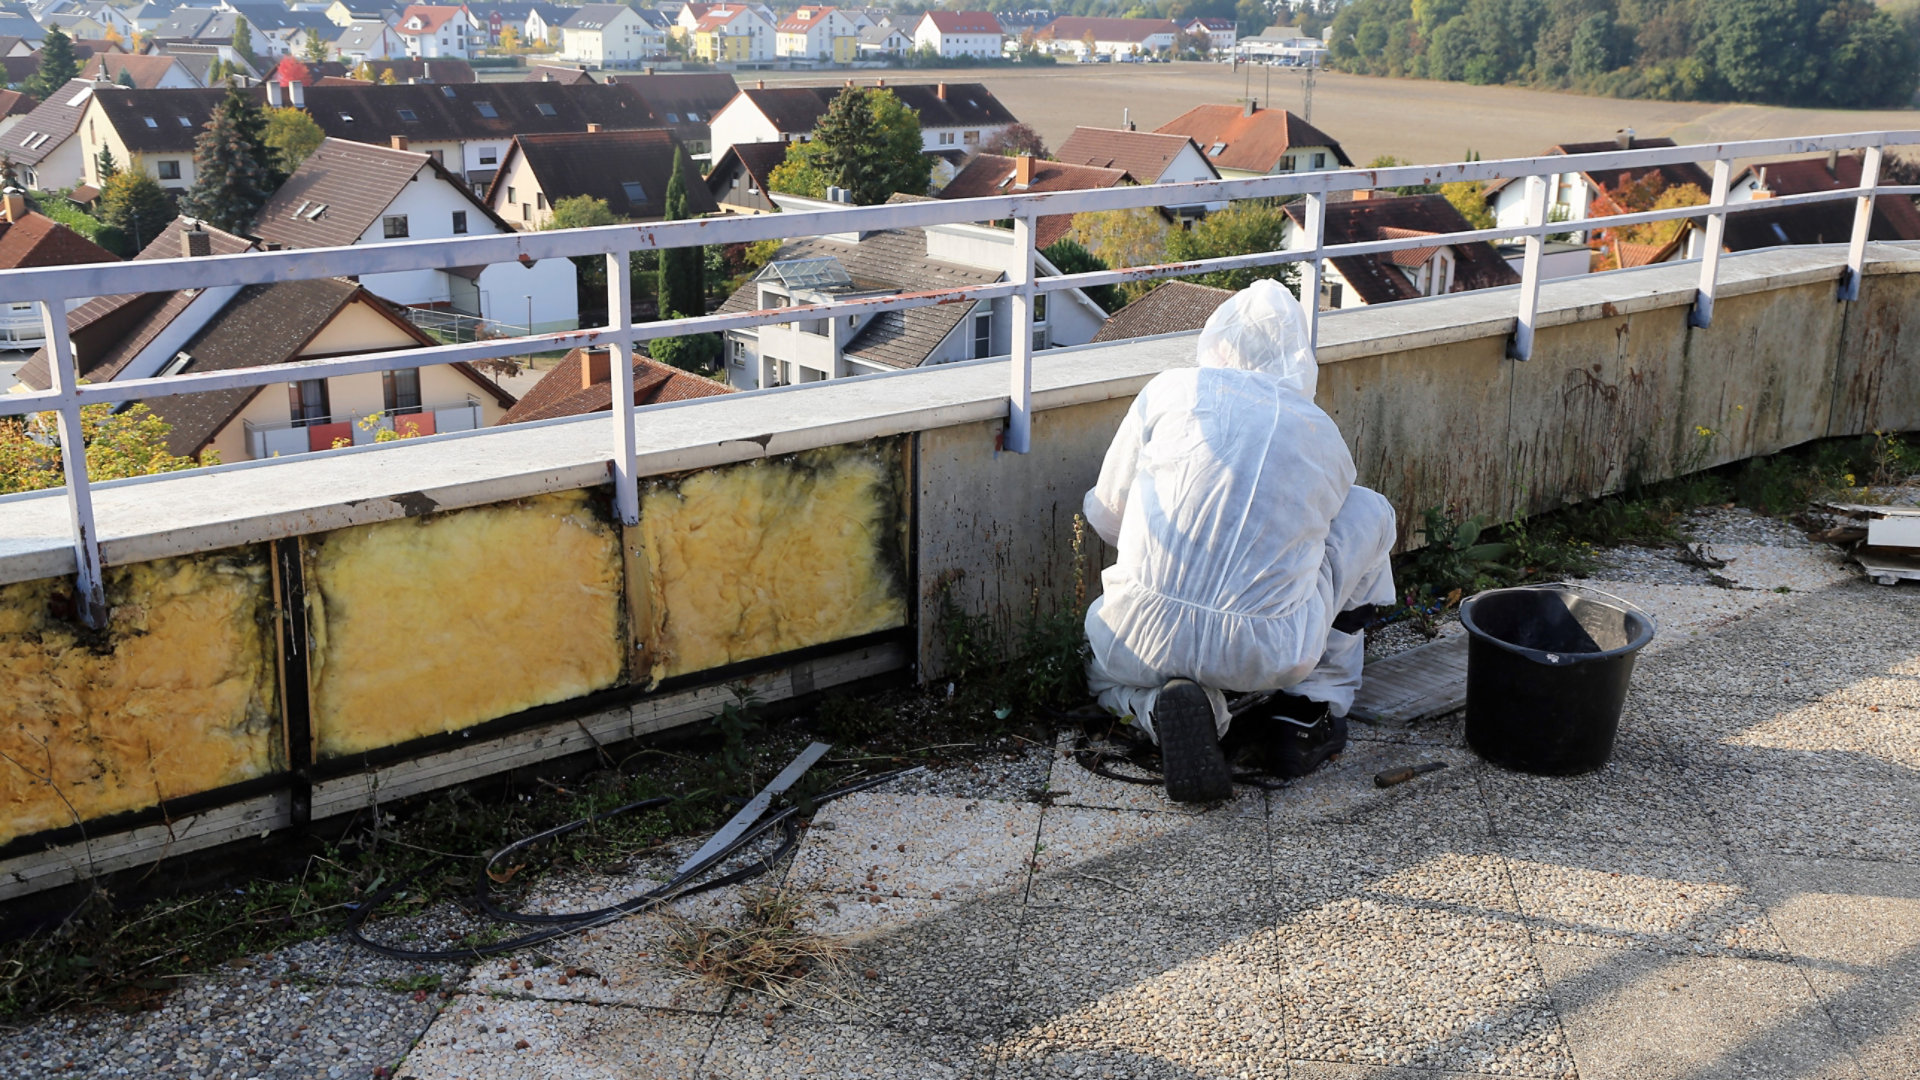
{"points": [[1856, 933]]}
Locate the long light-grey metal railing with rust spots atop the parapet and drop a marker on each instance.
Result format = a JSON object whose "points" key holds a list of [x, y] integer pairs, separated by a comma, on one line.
{"points": [[617, 243]]}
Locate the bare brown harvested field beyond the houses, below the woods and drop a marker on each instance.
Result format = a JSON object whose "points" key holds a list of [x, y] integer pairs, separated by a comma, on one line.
{"points": [[1406, 118]]}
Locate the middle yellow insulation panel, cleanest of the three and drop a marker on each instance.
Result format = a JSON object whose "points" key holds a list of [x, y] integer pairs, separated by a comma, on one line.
{"points": [[444, 622]]}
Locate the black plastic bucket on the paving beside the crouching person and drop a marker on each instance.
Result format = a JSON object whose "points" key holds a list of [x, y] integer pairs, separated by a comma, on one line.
{"points": [[1547, 675]]}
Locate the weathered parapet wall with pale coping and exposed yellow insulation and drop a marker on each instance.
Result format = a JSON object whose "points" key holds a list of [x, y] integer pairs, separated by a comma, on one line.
{"points": [[456, 606]]}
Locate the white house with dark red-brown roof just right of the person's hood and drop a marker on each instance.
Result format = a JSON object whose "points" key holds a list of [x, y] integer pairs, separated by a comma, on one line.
{"points": [[1435, 270]]}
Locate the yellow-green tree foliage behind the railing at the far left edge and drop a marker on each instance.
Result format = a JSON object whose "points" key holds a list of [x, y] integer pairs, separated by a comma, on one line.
{"points": [[130, 443]]}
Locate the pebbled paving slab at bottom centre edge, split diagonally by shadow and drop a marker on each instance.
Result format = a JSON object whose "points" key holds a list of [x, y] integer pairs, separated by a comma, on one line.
{"points": [[1186, 996]]}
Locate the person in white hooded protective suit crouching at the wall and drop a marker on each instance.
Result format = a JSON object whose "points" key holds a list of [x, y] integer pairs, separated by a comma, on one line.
{"points": [[1247, 554]]}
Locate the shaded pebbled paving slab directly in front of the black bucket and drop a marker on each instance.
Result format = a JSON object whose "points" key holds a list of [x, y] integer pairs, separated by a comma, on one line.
{"points": [[1621, 802]]}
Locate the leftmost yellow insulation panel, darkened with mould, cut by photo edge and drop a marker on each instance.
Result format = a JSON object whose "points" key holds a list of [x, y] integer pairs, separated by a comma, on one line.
{"points": [[176, 697]]}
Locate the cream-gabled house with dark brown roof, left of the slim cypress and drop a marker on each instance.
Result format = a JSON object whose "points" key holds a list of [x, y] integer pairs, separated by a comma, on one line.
{"points": [[629, 170]]}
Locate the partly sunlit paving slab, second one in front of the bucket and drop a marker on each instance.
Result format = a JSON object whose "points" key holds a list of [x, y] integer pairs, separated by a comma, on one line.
{"points": [[1635, 896]]}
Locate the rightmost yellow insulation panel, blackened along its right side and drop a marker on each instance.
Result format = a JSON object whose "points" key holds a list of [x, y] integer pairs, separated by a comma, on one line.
{"points": [[773, 556]]}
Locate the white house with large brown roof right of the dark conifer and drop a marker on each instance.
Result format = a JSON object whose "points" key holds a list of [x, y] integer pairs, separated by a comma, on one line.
{"points": [[352, 193]]}
